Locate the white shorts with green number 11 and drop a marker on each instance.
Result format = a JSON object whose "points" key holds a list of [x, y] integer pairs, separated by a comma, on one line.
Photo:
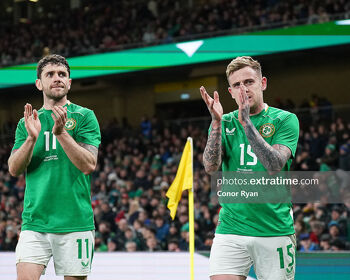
{"points": [[72, 252]]}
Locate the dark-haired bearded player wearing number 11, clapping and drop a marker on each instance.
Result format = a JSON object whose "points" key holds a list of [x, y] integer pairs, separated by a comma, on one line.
{"points": [[57, 147]]}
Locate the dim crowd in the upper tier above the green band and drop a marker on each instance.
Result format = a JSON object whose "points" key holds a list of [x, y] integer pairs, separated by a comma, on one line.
{"points": [[100, 26]]}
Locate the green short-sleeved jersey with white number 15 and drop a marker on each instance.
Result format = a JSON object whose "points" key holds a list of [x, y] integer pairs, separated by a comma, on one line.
{"points": [[276, 126]]}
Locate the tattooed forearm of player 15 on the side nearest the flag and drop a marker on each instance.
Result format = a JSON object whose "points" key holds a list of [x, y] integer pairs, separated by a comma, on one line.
{"points": [[212, 151]]}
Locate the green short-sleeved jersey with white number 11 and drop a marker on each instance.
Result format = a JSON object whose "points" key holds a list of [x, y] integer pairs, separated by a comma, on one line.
{"points": [[57, 195]]}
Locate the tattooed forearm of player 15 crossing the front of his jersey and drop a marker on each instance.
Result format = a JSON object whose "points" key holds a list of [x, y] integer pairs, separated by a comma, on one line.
{"points": [[273, 157]]}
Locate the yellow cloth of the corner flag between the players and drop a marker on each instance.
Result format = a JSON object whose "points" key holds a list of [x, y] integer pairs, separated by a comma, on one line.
{"points": [[183, 179]]}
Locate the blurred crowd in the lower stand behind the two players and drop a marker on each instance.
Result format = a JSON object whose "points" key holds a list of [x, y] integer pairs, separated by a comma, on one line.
{"points": [[136, 167]]}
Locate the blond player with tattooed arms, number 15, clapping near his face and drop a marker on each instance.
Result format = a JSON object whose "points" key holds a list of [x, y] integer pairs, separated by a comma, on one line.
{"points": [[255, 137]]}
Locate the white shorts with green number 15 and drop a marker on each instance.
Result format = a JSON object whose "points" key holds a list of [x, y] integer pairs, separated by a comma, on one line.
{"points": [[273, 257]]}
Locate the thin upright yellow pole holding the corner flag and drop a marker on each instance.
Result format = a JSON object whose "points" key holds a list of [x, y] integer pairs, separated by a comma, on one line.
{"points": [[191, 217]]}
